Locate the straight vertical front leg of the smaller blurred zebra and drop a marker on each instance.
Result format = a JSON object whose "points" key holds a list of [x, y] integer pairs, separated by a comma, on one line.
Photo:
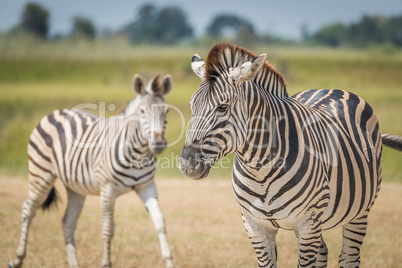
{"points": [[108, 198]]}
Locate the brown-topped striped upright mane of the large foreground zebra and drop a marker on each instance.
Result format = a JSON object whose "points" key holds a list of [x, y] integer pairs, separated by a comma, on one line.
{"points": [[225, 55]]}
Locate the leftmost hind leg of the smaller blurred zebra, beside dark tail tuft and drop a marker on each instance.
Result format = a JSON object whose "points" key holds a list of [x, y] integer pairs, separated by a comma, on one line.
{"points": [[39, 188]]}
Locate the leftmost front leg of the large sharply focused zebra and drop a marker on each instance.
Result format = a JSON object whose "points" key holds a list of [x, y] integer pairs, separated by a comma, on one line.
{"points": [[263, 240]]}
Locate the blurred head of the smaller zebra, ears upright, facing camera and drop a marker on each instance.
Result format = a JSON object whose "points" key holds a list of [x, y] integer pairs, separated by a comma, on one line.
{"points": [[150, 108]]}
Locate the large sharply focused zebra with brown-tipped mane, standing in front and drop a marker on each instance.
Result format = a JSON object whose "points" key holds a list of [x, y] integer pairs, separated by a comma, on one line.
{"points": [[306, 163]]}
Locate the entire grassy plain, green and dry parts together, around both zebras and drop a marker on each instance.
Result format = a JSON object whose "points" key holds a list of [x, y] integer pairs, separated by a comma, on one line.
{"points": [[203, 219]]}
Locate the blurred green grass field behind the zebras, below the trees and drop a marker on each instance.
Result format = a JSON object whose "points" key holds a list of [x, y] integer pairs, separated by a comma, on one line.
{"points": [[37, 77]]}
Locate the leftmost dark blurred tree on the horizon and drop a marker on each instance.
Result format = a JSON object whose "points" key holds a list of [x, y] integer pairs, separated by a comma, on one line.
{"points": [[35, 20]]}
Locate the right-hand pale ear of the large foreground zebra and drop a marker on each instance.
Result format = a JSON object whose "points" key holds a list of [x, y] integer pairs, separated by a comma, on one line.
{"points": [[248, 70]]}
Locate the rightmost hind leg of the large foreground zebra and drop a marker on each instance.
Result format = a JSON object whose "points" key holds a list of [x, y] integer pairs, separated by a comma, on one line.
{"points": [[353, 236]]}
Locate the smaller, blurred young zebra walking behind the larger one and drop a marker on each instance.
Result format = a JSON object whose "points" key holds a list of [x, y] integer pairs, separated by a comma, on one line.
{"points": [[98, 156]]}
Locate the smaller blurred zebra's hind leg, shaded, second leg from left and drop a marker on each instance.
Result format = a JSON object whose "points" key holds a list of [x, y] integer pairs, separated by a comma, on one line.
{"points": [[74, 207]]}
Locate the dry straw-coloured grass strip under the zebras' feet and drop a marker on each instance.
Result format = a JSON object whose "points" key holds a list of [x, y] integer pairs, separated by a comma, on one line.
{"points": [[203, 223]]}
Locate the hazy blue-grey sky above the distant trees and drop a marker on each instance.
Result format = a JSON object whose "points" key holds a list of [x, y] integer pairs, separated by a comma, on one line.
{"points": [[283, 17]]}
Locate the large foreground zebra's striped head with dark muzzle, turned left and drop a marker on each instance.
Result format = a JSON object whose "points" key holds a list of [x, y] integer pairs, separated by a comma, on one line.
{"points": [[219, 112]]}
